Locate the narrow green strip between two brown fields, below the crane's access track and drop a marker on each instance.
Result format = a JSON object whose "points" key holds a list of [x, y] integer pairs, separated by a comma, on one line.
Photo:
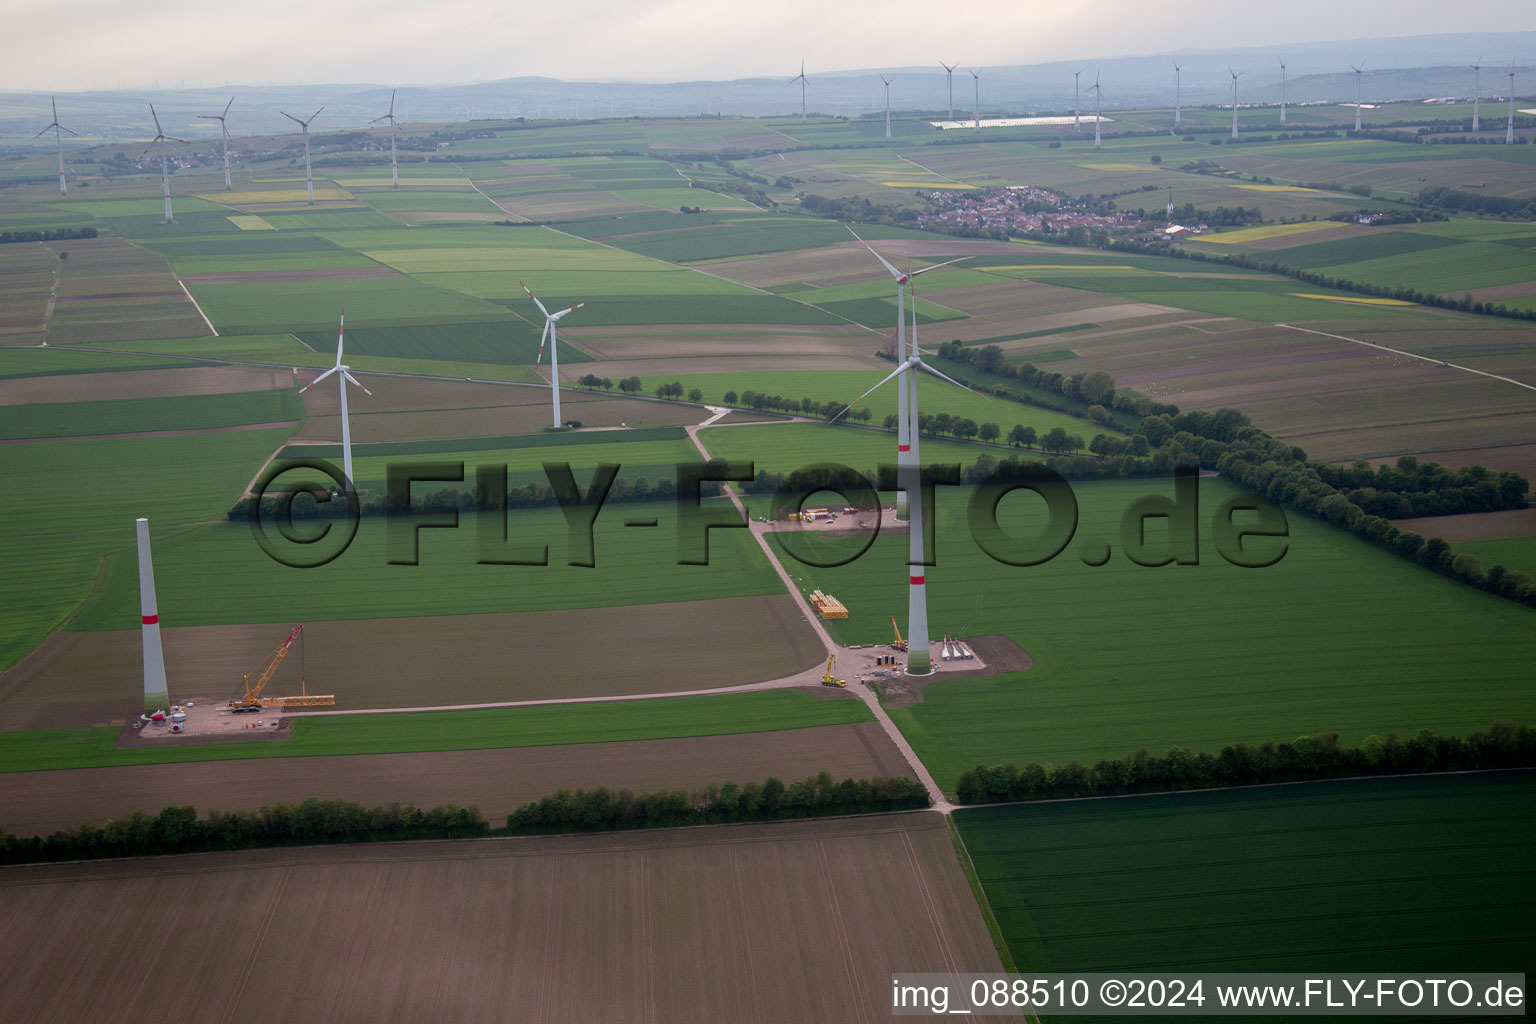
{"points": [[548, 725]]}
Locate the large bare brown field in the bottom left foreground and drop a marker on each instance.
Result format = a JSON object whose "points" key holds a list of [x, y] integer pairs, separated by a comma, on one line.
{"points": [[578, 928]]}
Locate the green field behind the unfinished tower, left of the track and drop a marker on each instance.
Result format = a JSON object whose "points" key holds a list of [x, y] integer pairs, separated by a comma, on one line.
{"points": [[217, 573]]}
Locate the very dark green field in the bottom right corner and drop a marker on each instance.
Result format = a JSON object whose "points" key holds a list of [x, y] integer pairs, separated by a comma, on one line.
{"points": [[1391, 876]]}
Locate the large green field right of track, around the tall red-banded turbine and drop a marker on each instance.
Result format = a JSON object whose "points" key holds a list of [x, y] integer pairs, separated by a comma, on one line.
{"points": [[1087, 698]]}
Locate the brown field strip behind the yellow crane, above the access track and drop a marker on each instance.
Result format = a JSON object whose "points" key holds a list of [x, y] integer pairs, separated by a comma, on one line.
{"points": [[428, 661]]}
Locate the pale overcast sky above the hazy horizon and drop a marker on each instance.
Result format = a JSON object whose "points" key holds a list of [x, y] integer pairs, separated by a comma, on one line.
{"points": [[67, 45]]}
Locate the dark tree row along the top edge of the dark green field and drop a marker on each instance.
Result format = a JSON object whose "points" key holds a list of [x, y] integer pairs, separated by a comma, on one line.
{"points": [[1505, 745]]}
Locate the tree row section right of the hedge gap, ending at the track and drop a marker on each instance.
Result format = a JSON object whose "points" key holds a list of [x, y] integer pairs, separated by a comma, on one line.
{"points": [[604, 810]]}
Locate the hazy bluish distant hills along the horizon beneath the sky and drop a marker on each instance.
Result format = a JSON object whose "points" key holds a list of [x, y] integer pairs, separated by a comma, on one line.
{"points": [[1408, 68]]}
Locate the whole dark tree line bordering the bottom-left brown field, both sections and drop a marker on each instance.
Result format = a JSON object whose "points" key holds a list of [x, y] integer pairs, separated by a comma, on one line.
{"points": [[179, 830]]}
